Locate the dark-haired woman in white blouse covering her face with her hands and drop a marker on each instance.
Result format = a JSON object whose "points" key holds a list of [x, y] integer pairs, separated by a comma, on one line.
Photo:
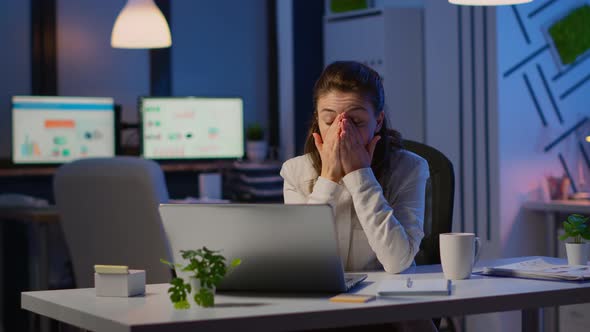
{"points": [[356, 164]]}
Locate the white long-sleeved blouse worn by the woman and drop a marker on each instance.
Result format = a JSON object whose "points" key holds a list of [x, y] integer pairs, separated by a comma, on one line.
{"points": [[376, 228]]}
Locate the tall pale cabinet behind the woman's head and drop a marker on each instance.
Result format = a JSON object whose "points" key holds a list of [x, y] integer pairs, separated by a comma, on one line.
{"points": [[389, 40]]}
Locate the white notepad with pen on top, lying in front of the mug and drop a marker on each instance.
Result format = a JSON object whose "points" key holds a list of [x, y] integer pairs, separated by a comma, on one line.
{"points": [[409, 286]]}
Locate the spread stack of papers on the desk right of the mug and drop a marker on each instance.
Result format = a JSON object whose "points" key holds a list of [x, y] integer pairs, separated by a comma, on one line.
{"points": [[540, 269]]}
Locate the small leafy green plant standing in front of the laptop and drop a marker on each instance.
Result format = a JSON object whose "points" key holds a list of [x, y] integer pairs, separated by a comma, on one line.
{"points": [[208, 270]]}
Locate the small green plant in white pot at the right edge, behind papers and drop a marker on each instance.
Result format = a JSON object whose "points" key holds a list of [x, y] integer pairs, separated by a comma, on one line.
{"points": [[576, 228]]}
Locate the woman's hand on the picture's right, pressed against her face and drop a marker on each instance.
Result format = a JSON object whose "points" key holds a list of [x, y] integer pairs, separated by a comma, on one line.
{"points": [[354, 154]]}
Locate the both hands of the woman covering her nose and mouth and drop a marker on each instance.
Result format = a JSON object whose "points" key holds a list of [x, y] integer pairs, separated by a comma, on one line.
{"points": [[343, 149]]}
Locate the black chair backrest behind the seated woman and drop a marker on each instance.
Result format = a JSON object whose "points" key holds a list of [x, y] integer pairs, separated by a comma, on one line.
{"points": [[440, 194]]}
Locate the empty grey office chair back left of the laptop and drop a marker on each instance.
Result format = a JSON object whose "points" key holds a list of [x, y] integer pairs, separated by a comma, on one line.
{"points": [[109, 214]]}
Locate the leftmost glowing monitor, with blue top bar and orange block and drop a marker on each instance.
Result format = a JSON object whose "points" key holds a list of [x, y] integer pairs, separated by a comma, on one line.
{"points": [[53, 130]]}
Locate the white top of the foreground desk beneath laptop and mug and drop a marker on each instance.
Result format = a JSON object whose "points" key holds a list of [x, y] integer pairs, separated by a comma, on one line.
{"points": [[265, 312]]}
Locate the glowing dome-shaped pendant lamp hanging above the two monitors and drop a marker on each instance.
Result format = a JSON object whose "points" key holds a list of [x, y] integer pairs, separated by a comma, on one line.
{"points": [[141, 24]]}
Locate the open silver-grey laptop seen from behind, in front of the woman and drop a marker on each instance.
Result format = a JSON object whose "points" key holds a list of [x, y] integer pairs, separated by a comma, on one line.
{"points": [[286, 248]]}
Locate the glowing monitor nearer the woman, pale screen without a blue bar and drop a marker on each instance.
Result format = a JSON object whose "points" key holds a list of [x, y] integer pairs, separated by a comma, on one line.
{"points": [[176, 128]]}
